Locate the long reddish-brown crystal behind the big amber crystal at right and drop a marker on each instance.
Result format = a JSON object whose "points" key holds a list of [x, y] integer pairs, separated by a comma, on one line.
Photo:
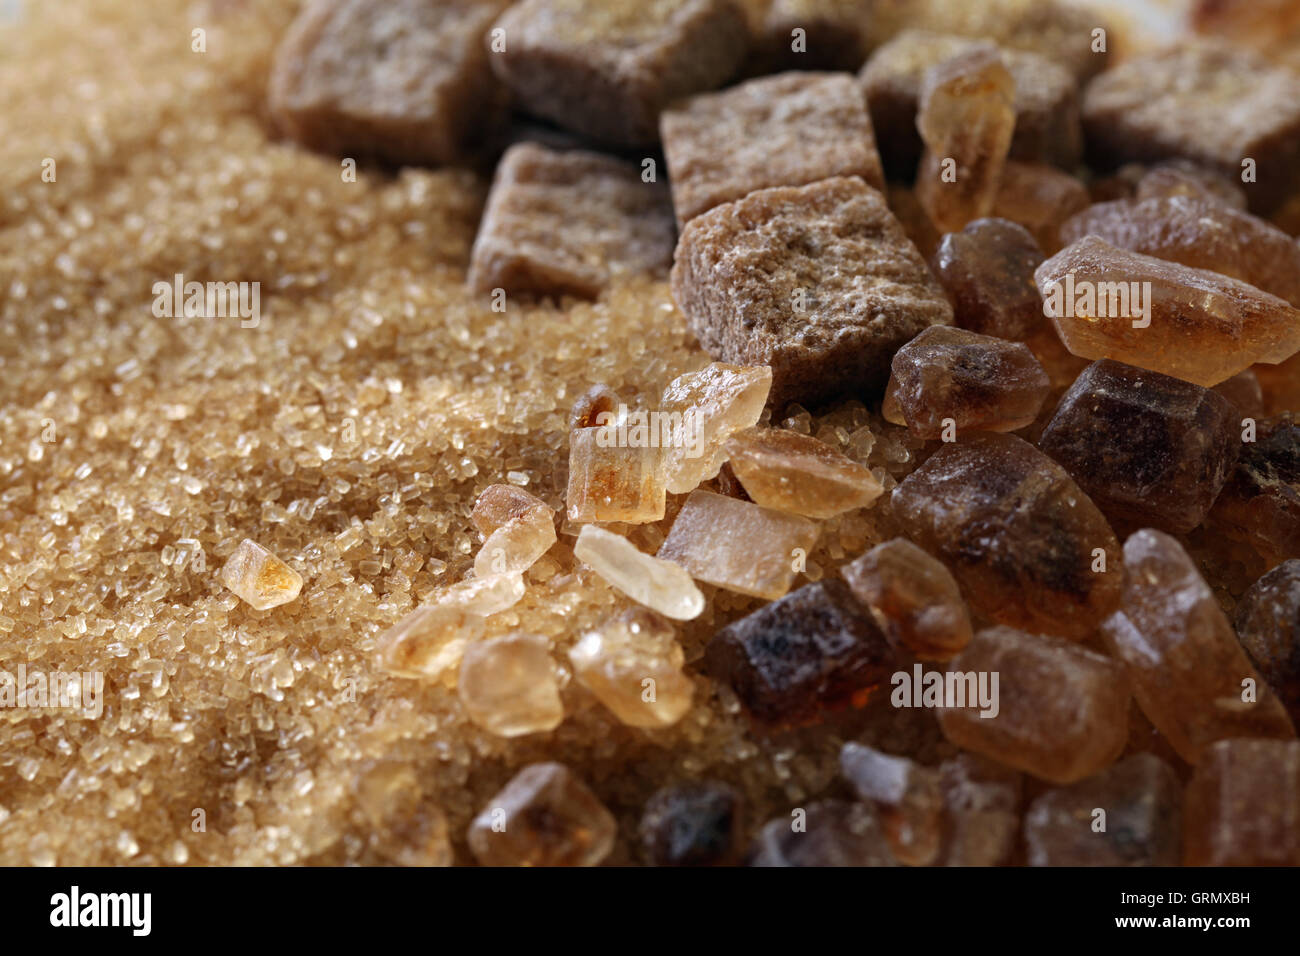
{"points": [[1206, 235]]}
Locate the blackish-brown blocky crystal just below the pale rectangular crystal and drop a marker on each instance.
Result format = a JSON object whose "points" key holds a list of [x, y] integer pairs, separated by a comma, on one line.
{"points": [[794, 660]]}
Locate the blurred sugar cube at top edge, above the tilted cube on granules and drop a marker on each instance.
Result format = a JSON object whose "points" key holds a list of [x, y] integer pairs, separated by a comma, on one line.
{"points": [[608, 68]]}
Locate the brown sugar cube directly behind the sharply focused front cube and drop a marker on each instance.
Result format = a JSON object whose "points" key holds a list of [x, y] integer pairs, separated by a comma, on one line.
{"points": [[785, 131]]}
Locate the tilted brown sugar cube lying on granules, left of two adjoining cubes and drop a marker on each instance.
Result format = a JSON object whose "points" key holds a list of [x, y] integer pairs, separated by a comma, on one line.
{"points": [[567, 223]]}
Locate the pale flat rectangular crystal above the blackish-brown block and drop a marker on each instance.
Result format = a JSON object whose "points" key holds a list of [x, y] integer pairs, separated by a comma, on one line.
{"points": [[739, 546]]}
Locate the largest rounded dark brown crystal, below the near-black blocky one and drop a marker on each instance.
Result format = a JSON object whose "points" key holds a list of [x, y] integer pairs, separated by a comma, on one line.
{"points": [[1017, 533]]}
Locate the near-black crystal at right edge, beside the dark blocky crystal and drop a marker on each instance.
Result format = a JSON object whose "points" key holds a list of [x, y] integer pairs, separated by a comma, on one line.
{"points": [[1260, 504]]}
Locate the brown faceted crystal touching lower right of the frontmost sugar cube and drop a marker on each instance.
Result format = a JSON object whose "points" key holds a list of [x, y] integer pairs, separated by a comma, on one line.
{"points": [[955, 378]]}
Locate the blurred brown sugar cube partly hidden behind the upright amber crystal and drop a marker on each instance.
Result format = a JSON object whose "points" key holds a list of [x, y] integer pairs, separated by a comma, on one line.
{"points": [[1047, 100]]}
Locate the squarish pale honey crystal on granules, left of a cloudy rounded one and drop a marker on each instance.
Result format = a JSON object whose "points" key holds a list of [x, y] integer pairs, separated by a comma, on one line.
{"points": [[508, 686]]}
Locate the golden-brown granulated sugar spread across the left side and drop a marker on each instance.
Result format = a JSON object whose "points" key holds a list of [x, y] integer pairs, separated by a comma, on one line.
{"points": [[350, 434]]}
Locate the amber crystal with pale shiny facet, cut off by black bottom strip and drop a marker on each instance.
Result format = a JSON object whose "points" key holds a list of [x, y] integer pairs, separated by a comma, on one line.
{"points": [[544, 817]]}
